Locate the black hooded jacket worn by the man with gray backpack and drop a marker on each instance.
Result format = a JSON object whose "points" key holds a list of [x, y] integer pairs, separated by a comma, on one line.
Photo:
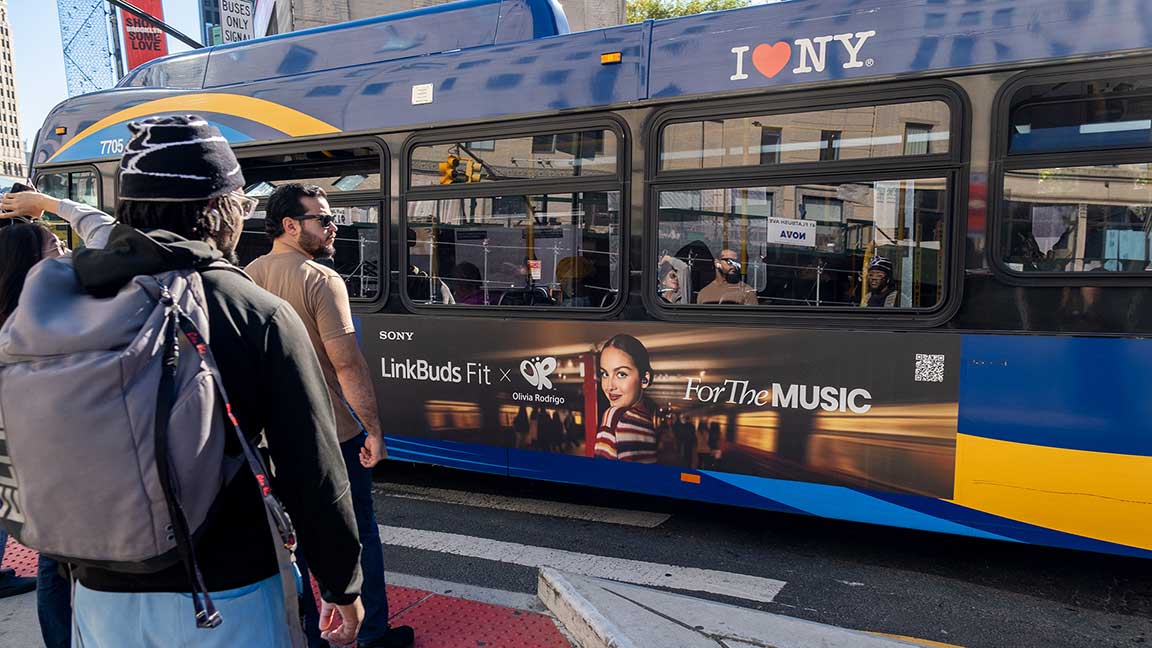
{"points": [[276, 386]]}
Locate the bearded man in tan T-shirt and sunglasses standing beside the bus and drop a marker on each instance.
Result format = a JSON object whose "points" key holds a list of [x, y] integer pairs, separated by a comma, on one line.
{"points": [[302, 230]]}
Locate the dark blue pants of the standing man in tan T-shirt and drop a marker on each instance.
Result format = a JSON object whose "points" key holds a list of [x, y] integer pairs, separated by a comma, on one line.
{"points": [[373, 594]]}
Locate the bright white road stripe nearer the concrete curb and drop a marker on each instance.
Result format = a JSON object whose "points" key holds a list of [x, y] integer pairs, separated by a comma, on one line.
{"points": [[624, 570]]}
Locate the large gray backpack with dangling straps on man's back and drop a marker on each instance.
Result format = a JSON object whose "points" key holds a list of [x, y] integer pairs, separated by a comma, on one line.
{"points": [[113, 419]]}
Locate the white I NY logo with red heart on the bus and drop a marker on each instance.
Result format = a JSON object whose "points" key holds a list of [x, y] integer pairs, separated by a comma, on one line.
{"points": [[812, 55]]}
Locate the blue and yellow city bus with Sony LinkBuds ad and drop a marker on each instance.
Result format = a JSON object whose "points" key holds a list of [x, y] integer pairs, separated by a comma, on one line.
{"points": [[882, 261]]}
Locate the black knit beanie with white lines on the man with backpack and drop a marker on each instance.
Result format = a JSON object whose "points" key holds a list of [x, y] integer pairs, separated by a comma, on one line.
{"points": [[177, 160]]}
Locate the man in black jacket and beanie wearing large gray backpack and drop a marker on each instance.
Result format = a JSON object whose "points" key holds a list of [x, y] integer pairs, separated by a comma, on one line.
{"points": [[131, 379]]}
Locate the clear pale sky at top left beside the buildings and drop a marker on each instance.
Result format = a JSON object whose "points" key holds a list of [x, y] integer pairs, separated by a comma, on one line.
{"points": [[40, 64]]}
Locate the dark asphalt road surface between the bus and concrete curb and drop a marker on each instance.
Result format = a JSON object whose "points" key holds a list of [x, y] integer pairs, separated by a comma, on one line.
{"points": [[943, 589]]}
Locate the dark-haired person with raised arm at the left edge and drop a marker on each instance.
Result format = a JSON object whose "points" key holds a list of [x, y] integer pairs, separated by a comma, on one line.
{"points": [[22, 246]]}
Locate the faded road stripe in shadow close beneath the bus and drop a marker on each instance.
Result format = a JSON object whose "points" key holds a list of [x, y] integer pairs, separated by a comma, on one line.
{"points": [[525, 506]]}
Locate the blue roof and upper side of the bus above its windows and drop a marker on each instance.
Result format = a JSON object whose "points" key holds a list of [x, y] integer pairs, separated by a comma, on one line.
{"points": [[489, 59]]}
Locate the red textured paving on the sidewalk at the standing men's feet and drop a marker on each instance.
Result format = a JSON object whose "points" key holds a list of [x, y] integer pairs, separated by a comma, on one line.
{"points": [[441, 622]]}
